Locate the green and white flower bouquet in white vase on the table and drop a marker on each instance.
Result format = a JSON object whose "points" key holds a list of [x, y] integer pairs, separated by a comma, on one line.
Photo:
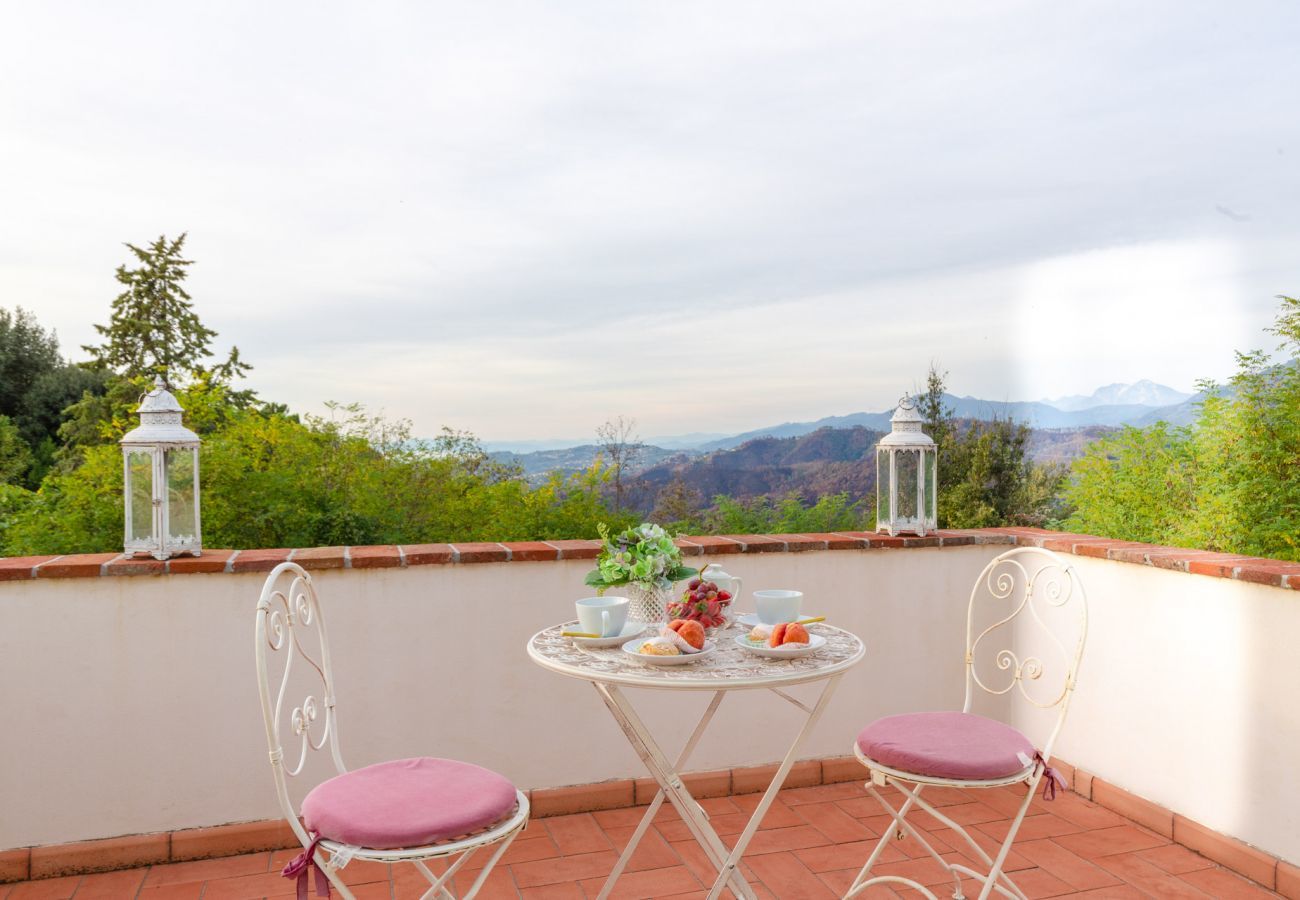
{"points": [[645, 561]]}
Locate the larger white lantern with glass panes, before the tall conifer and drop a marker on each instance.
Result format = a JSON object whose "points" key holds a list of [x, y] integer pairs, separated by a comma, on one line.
{"points": [[162, 481]]}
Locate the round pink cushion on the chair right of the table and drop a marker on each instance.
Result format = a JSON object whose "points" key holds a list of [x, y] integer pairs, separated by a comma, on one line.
{"points": [[957, 746]]}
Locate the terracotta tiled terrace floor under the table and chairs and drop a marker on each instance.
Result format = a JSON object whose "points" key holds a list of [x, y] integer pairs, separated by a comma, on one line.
{"points": [[811, 847]]}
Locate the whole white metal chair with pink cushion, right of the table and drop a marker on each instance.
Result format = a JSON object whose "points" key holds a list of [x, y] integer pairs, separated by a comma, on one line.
{"points": [[1041, 598]]}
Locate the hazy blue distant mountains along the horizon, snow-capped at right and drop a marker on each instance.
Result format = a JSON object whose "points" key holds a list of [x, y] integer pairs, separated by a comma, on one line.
{"points": [[1063, 429]]}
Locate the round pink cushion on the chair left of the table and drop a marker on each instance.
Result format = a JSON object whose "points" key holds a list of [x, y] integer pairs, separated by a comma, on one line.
{"points": [[408, 803]]}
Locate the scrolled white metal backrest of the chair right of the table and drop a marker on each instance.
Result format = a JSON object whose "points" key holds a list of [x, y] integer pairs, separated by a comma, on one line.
{"points": [[1037, 599]]}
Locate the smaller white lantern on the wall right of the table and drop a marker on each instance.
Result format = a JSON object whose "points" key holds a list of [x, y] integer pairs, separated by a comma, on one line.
{"points": [[907, 475]]}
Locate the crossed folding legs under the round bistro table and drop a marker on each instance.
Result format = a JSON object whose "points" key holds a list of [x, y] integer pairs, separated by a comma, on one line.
{"points": [[669, 777]]}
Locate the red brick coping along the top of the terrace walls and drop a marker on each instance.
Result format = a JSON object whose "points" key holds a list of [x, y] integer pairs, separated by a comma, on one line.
{"points": [[1255, 570]]}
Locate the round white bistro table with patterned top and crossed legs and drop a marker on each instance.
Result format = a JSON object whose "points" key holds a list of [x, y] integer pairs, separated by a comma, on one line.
{"points": [[730, 668]]}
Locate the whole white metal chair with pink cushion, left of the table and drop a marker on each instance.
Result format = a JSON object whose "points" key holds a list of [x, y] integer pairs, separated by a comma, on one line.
{"points": [[415, 811]]}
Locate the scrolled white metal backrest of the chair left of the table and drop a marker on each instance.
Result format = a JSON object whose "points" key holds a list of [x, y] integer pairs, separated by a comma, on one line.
{"points": [[291, 629]]}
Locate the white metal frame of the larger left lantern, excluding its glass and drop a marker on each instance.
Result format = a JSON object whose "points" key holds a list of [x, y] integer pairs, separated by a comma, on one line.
{"points": [[159, 435]]}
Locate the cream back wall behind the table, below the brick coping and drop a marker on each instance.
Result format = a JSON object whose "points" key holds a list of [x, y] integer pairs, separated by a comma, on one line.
{"points": [[129, 704]]}
